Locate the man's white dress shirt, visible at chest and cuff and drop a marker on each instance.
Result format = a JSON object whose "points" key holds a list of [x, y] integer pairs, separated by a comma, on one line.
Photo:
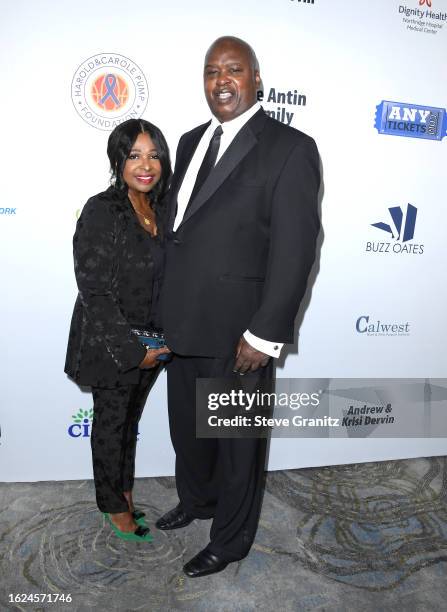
{"points": [[230, 129]]}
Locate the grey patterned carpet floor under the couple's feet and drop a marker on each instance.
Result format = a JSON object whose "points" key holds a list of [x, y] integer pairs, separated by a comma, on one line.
{"points": [[367, 537]]}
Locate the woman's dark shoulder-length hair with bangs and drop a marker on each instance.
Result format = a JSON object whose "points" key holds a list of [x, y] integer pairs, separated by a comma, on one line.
{"points": [[119, 146]]}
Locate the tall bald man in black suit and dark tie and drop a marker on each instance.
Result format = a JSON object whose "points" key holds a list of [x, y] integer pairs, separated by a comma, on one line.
{"points": [[242, 238]]}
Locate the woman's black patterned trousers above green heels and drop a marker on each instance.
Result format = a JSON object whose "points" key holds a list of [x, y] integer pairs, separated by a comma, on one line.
{"points": [[116, 414]]}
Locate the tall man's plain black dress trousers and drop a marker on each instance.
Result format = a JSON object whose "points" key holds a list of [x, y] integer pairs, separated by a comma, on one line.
{"points": [[219, 478]]}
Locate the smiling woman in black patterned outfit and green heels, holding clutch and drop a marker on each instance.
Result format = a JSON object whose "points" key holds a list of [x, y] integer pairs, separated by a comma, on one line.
{"points": [[118, 260]]}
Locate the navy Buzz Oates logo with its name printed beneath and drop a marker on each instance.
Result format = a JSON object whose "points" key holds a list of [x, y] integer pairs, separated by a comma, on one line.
{"points": [[400, 230]]}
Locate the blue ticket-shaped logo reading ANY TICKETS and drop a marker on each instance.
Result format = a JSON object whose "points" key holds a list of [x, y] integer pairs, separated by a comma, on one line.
{"points": [[411, 120]]}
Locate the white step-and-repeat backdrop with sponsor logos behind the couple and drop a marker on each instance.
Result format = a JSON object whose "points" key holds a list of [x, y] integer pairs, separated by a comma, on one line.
{"points": [[365, 79]]}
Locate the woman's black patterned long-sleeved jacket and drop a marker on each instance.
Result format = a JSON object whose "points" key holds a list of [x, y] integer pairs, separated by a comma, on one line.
{"points": [[118, 267]]}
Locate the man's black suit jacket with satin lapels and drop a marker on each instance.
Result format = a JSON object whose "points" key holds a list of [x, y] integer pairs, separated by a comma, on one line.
{"points": [[242, 255]]}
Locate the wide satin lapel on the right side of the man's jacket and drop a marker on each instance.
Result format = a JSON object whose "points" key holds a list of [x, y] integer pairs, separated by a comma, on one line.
{"points": [[244, 141]]}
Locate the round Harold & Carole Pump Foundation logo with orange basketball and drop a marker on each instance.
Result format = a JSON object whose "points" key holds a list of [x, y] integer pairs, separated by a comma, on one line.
{"points": [[107, 89]]}
